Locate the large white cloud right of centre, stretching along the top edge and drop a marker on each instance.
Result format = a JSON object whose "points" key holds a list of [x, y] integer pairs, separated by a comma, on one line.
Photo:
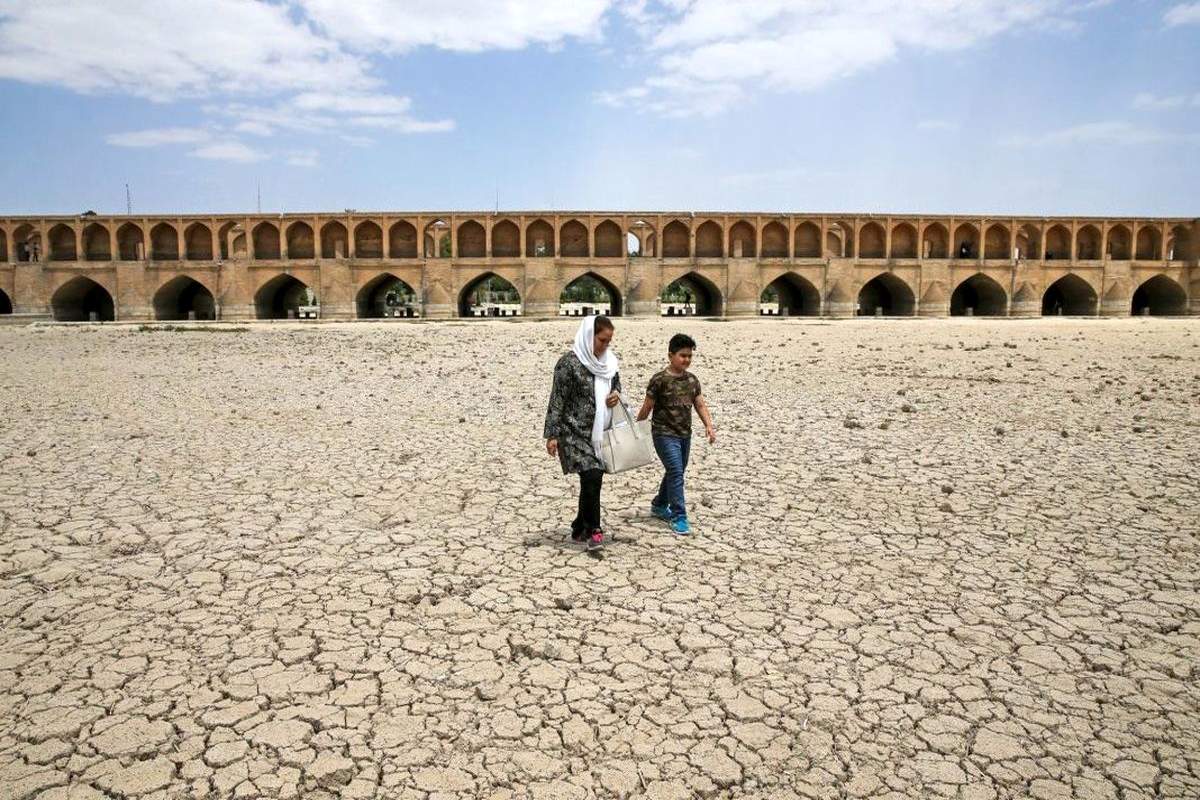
{"points": [[711, 53]]}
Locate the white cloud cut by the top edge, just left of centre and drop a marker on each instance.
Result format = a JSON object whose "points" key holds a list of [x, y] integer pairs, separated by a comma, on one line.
{"points": [[463, 26]]}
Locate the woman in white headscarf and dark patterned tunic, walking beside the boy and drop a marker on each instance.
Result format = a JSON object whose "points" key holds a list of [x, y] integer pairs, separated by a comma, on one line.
{"points": [[586, 388]]}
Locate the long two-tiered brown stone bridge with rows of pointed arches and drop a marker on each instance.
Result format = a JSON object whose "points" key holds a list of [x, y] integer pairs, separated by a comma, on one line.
{"points": [[257, 267]]}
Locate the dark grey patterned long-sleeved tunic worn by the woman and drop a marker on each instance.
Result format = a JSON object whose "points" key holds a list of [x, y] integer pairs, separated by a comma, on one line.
{"points": [[572, 412]]}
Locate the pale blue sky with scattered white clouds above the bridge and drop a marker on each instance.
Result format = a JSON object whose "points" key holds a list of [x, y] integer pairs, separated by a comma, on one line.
{"points": [[1024, 107]]}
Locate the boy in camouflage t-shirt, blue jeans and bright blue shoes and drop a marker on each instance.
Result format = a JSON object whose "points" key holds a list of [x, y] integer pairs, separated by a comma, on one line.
{"points": [[671, 396]]}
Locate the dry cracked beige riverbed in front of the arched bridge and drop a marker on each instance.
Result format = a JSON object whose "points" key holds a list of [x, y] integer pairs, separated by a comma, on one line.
{"points": [[933, 560]]}
